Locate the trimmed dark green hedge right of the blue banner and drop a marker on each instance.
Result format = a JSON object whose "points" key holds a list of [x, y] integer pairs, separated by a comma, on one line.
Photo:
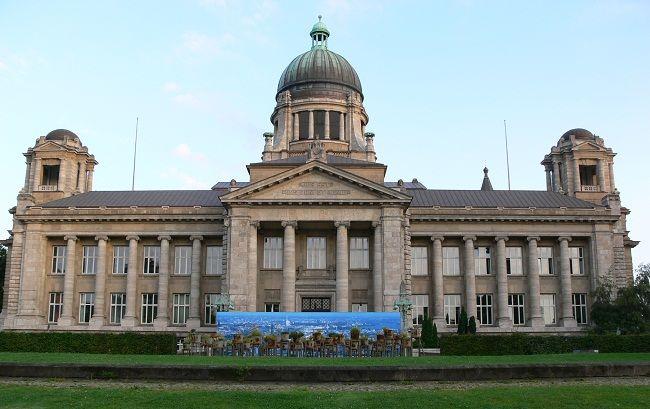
{"points": [[521, 344]]}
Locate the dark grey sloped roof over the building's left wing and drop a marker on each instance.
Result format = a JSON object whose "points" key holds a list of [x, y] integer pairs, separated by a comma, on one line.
{"points": [[141, 198]]}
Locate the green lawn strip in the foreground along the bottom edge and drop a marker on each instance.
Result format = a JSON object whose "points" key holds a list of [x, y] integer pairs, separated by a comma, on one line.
{"points": [[574, 397]]}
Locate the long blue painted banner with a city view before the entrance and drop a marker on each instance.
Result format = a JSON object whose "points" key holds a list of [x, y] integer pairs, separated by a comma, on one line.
{"points": [[370, 323]]}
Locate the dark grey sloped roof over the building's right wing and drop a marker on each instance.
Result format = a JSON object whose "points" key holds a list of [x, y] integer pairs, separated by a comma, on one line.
{"points": [[495, 198]]}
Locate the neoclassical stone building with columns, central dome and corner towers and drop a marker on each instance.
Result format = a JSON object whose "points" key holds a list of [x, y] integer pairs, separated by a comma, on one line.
{"points": [[316, 228]]}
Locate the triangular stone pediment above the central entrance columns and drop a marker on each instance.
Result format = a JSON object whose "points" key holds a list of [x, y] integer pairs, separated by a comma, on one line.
{"points": [[315, 182]]}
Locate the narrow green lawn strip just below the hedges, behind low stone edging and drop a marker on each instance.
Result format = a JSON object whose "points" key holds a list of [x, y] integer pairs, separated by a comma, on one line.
{"points": [[32, 357]]}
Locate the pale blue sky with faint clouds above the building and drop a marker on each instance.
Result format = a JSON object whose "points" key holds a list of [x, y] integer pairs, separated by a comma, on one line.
{"points": [[439, 78]]}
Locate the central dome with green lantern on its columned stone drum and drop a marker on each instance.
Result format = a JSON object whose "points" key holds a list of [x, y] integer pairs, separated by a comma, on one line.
{"points": [[319, 97]]}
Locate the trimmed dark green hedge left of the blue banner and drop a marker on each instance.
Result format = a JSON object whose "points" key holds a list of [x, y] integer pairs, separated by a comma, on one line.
{"points": [[91, 343]]}
